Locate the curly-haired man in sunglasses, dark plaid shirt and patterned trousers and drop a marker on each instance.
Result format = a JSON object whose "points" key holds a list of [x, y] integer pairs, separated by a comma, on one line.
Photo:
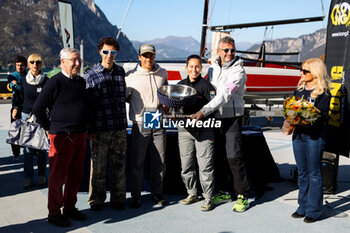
{"points": [[105, 83]]}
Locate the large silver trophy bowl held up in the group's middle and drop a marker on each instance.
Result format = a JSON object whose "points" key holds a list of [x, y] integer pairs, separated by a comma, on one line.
{"points": [[177, 96]]}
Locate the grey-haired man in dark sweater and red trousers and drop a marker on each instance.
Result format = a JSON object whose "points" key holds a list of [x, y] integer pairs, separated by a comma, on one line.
{"points": [[66, 98]]}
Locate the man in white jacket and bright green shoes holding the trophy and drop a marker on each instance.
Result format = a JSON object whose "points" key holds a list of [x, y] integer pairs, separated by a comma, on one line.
{"points": [[228, 77]]}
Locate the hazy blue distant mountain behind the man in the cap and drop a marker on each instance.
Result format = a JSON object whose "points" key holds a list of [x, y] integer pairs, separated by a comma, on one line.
{"points": [[172, 47]]}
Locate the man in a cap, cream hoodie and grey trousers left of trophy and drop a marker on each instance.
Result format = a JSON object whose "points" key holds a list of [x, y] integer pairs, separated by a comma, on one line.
{"points": [[142, 84]]}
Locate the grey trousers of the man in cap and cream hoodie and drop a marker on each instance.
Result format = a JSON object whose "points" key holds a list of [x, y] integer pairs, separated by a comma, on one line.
{"points": [[143, 140]]}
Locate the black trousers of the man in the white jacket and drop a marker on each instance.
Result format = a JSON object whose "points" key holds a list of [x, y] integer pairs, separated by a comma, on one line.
{"points": [[229, 162]]}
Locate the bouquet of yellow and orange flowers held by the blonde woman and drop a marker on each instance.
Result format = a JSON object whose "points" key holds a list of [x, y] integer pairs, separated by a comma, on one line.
{"points": [[299, 111]]}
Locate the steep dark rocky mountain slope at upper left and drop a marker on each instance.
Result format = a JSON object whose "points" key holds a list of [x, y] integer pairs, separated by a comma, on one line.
{"points": [[32, 26]]}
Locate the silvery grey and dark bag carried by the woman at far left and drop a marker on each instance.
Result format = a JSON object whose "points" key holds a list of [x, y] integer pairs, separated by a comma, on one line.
{"points": [[28, 134]]}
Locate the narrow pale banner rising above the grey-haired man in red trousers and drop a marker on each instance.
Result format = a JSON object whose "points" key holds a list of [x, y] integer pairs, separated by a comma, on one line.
{"points": [[66, 18]]}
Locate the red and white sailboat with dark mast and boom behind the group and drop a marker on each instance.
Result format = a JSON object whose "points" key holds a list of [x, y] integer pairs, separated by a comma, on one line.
{"points": [[266, 79]]}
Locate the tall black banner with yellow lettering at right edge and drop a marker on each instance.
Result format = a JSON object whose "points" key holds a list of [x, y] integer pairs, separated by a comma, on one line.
{"points": [[338, 66]]}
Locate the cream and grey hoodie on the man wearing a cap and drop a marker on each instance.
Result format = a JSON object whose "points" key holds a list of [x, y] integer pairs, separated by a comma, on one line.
{"points": [[141, 90]]}
